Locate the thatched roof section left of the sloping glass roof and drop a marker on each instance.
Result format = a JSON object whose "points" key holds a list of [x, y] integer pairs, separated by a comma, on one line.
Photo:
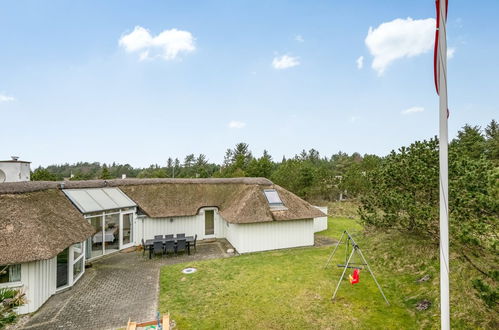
{"points": [[38, 225]]}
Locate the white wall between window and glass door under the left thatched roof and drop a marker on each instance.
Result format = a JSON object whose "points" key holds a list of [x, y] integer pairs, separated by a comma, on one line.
{"points": [[38, 282]]}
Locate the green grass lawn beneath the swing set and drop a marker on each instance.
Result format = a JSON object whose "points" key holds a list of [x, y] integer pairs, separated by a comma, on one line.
{"points": [[289, 289]]}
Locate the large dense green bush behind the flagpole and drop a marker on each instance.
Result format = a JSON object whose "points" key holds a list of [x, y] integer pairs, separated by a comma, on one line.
{"points": [[404, 194]]}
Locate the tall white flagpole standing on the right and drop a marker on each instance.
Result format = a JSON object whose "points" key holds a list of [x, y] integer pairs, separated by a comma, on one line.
{"points": [[444, 177]]}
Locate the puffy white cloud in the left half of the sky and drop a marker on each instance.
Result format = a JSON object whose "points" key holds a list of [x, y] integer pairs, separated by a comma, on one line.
{"points": [[166, 45]]}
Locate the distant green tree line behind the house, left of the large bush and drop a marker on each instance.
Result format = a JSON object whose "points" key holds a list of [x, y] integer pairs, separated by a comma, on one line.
{"points": [[307, 174]]}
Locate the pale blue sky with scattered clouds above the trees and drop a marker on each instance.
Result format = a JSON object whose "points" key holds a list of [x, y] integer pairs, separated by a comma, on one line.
{"points": [[202, 76]]}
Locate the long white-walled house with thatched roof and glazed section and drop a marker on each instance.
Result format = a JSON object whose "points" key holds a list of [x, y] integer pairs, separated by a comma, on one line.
{"points": [[49, 230]]}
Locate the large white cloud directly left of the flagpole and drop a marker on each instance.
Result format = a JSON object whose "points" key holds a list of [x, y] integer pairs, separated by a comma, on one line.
{"points": [[398, 39]]}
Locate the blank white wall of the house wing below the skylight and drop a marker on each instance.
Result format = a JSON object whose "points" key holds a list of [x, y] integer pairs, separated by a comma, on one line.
{"points": [[264, 236]]}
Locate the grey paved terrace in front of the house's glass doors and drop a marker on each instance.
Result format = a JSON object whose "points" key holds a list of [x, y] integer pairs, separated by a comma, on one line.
{"points": [[115, 288]]}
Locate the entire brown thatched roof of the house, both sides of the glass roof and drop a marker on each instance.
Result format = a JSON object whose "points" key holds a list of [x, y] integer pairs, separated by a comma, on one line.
{"points": [[37, 221]]}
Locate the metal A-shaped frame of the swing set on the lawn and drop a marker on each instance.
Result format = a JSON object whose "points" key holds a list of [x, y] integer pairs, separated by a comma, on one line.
{"points": [[355, 248]]}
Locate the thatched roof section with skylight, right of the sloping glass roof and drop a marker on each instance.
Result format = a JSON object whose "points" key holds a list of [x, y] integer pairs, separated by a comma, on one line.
{"points": [[238, 200]]}
